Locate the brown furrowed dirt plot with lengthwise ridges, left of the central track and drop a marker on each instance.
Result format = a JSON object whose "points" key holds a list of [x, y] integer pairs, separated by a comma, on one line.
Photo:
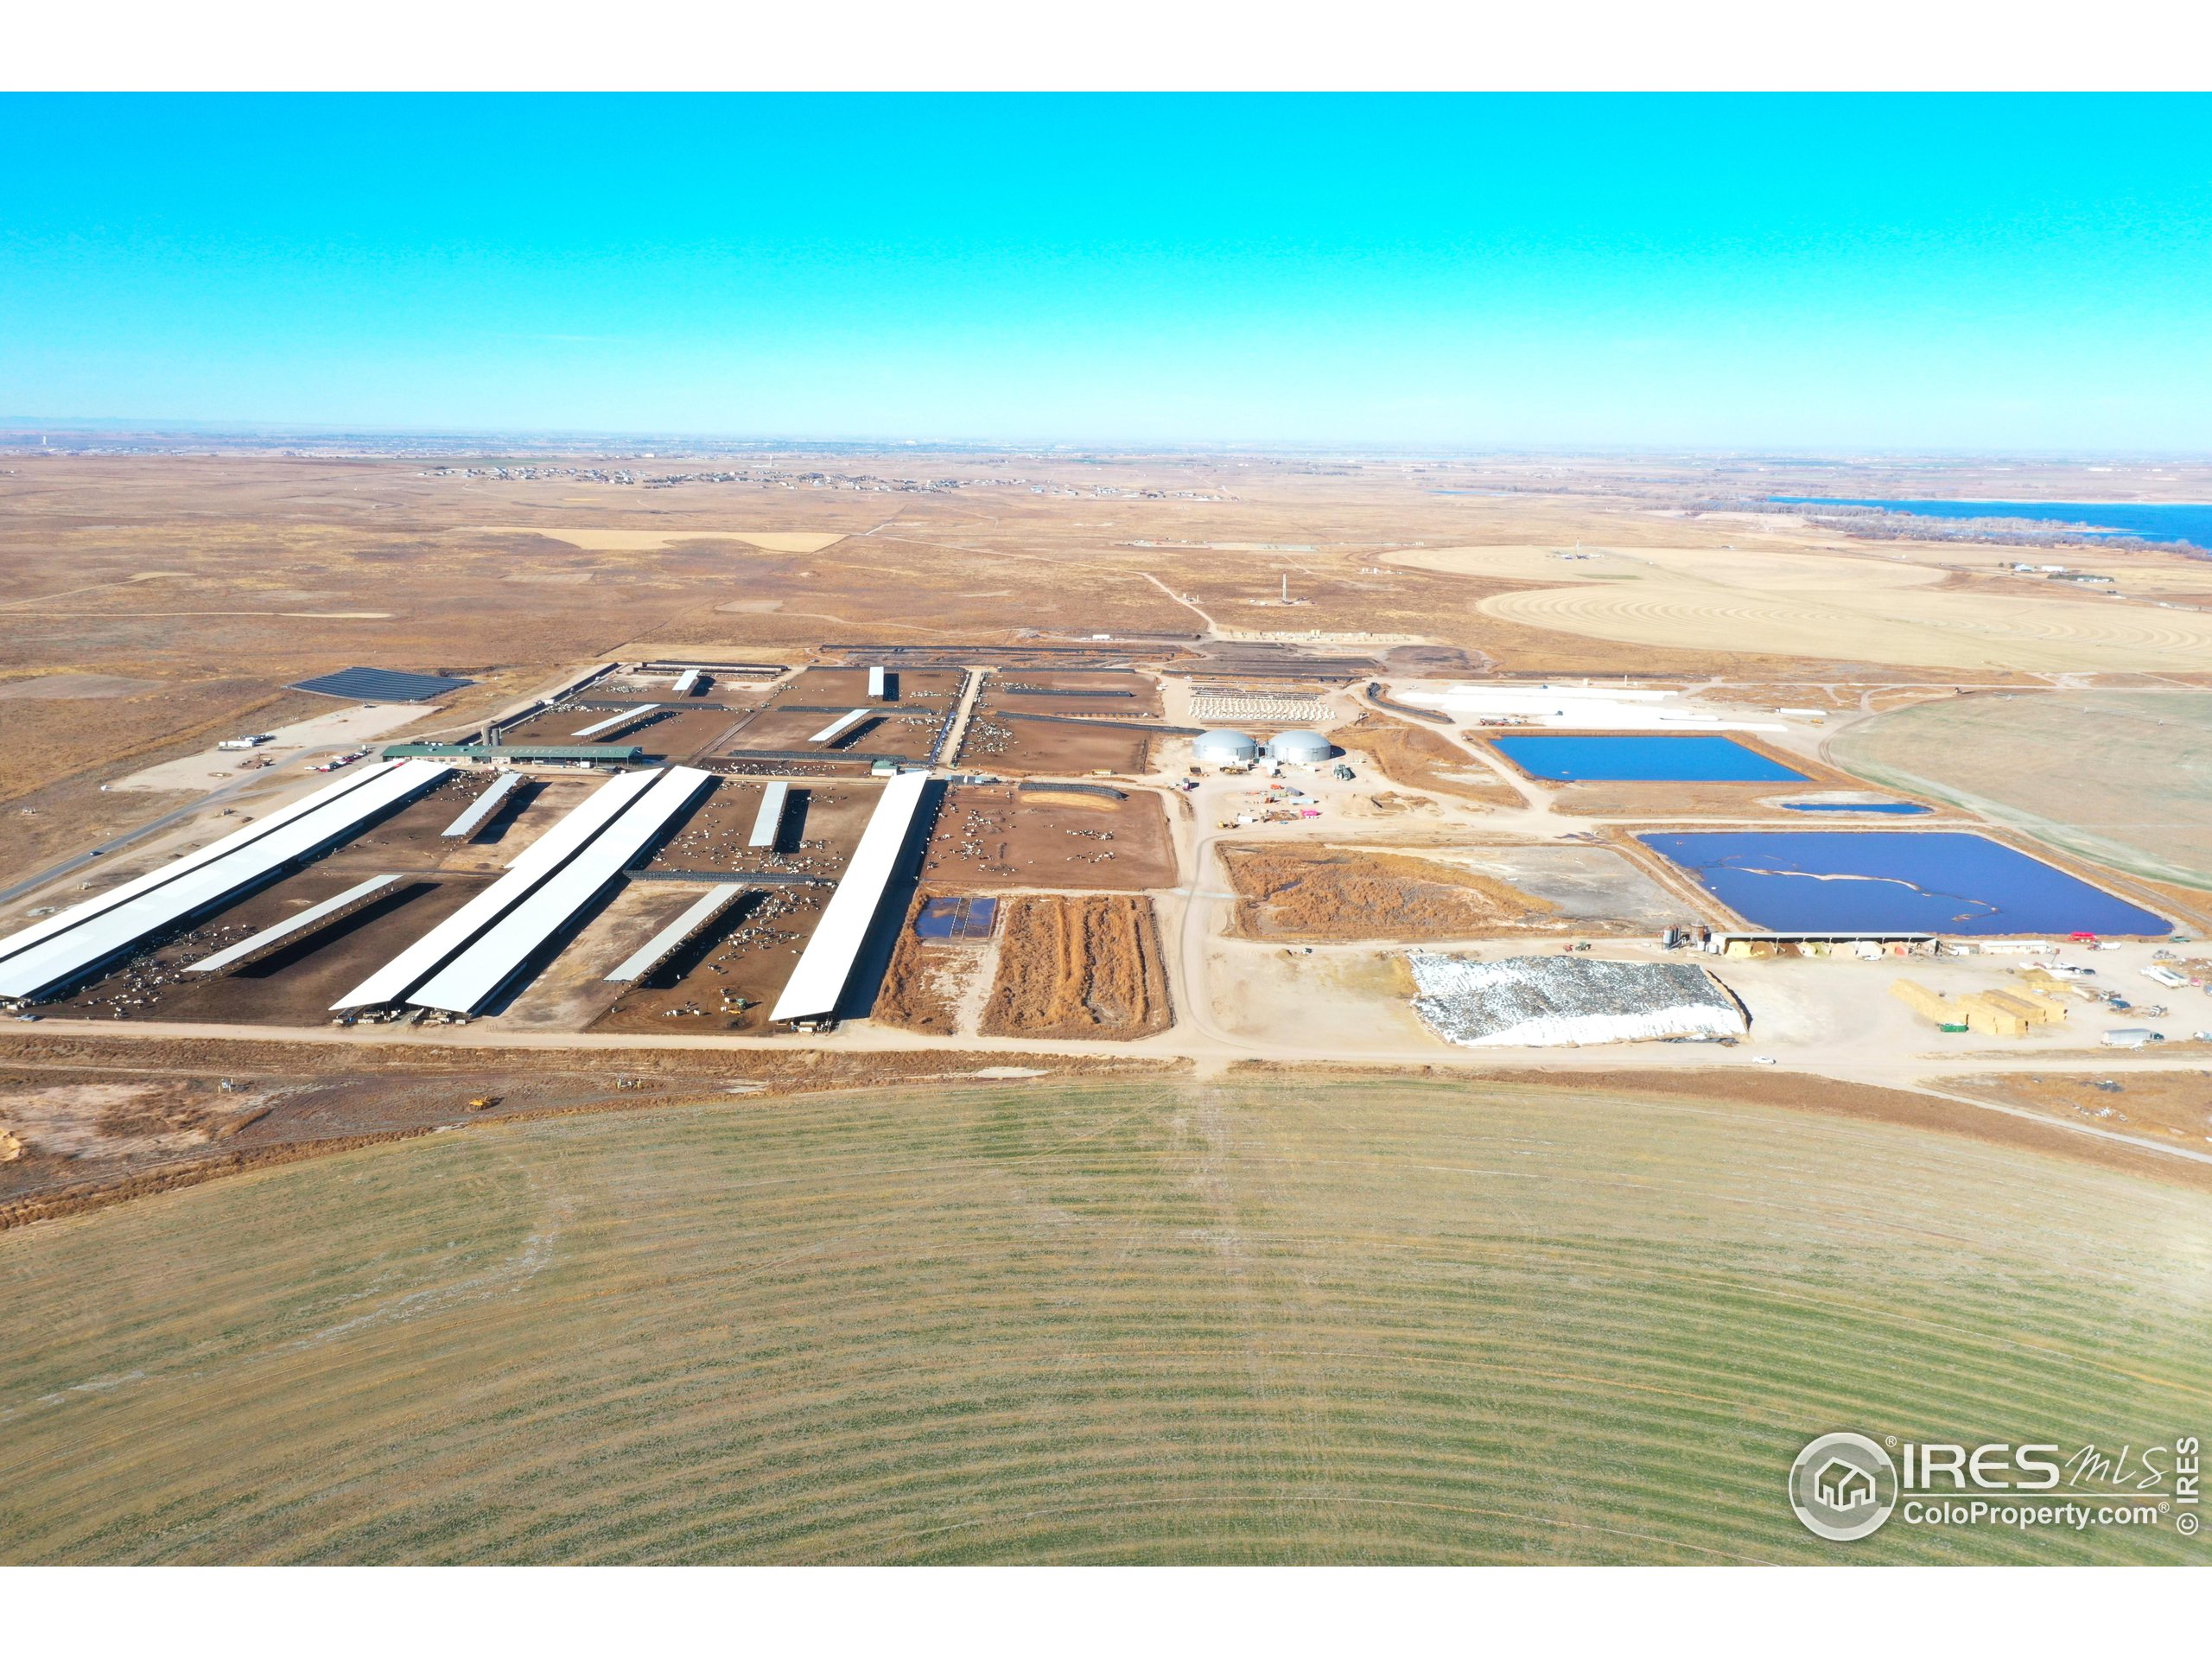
{"points": [[1078, 968]]}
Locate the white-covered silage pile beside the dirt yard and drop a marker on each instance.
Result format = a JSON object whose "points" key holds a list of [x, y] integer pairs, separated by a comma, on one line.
{"points": [[1567, 1001]]}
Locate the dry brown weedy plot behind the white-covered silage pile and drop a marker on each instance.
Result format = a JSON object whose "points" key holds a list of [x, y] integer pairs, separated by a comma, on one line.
{"points": [[1308, 893]]}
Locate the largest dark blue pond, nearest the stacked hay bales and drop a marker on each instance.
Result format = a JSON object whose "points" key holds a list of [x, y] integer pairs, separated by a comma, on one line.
{"points": [[1888, 881]]}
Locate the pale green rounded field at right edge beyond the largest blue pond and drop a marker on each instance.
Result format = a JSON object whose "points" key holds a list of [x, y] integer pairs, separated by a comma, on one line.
{"points": [[2118, 778]]}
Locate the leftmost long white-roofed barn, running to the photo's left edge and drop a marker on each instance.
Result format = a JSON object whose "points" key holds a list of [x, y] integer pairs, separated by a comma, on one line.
{"points": [[94, 935]]}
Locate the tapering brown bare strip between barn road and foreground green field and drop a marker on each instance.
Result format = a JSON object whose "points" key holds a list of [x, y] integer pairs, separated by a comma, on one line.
{"points": [[103, 1123]]}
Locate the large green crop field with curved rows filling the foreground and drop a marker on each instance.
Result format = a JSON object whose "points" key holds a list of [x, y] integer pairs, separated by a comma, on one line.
{"points": [[1063, 1324]]}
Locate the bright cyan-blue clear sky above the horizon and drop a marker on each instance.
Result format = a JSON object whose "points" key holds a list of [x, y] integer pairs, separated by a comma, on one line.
{"points": [[1950, 273]]}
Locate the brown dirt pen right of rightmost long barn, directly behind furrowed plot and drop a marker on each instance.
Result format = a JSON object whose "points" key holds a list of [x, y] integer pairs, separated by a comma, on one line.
{"points": [[997, 837]]}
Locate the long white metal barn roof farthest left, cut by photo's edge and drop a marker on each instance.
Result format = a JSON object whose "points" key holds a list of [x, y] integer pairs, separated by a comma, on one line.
{"points": [[83, 950]]}
